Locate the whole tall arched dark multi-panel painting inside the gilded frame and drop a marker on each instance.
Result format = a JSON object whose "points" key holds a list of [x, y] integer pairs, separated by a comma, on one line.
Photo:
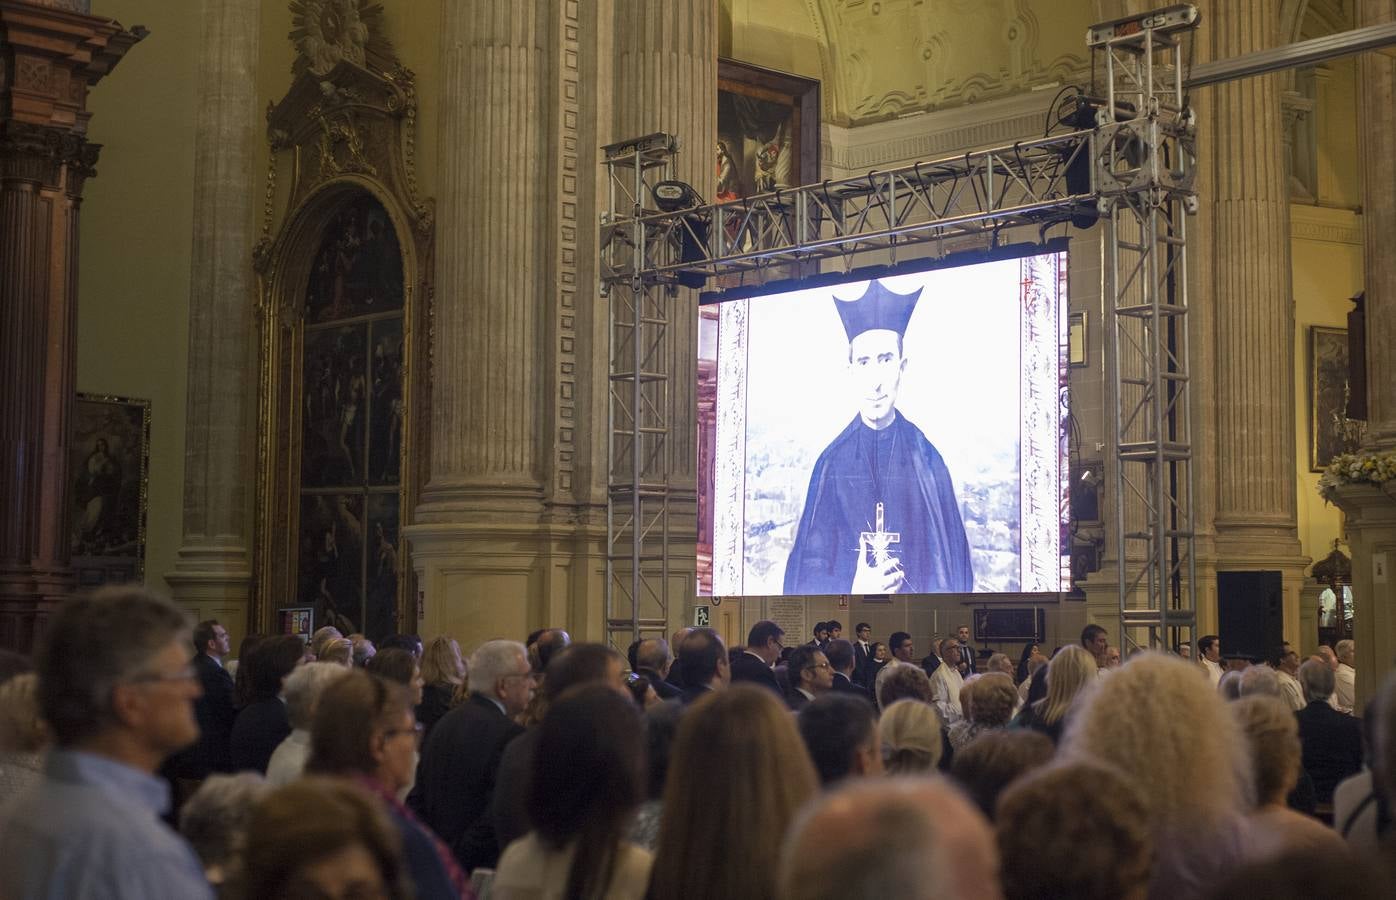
{"points": [[352, 423]]}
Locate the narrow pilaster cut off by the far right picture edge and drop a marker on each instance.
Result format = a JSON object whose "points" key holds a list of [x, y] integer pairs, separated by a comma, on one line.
{"points": [[1377, 121]]}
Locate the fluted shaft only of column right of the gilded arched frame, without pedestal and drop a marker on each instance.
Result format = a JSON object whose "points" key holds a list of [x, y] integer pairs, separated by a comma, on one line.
{"points": [[493, 266]]}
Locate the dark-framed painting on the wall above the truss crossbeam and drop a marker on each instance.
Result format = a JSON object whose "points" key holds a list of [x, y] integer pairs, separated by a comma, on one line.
{"points": [[768, 130]]}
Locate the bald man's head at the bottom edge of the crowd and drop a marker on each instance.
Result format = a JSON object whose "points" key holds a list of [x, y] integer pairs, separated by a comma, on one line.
{"points": [[914, 839]]}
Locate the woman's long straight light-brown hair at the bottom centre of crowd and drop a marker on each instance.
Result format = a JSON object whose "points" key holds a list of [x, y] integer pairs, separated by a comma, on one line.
{"points": [[738, 778]]}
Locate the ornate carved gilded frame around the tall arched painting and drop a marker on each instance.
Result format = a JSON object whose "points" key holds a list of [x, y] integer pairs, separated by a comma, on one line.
{"points": [[347, 130]]}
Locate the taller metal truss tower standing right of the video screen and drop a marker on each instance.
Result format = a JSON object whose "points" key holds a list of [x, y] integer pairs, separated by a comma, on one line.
{"points": [[1144, 175]]}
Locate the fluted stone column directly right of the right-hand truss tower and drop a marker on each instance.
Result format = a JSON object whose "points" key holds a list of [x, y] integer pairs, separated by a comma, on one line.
{"points": [[1247, 285]]}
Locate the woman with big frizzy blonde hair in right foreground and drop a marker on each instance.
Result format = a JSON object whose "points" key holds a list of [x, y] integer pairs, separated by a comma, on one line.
{"points": [[1168, 730]]}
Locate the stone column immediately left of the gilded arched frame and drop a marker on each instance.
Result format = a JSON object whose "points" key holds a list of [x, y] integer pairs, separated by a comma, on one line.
{"points": [[213, 574]]}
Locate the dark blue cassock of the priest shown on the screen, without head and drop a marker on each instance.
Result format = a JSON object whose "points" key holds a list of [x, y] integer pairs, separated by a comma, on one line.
{"points": [[901, 470]]}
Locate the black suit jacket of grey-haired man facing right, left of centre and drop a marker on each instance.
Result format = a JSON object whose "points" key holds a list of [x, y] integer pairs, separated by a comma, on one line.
{"points": [[456, 779]]}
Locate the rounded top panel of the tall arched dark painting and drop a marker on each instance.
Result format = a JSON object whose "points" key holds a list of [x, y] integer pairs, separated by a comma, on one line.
{"points": [[358, 269]]}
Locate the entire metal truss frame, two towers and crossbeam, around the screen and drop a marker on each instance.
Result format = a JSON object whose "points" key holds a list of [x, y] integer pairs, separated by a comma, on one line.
{"points": [[1131, 168]]}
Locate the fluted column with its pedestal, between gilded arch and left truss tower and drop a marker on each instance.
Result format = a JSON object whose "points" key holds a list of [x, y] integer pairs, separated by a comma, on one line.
{"points": [[478, 538]]}
